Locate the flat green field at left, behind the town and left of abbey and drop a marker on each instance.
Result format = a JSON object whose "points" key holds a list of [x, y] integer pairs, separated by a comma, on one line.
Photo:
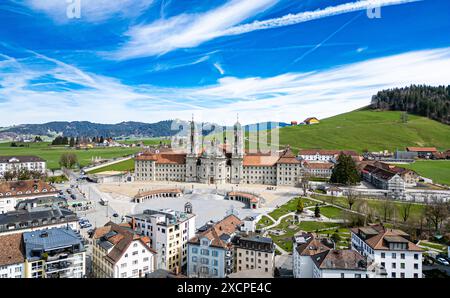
{"points": [[52, 153]]}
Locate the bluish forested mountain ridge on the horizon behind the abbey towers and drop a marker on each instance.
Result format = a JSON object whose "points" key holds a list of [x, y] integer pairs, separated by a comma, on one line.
{"points": [[124, 129]]}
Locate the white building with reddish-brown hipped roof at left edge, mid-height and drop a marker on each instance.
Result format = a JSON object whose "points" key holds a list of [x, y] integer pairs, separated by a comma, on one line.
{"points": [[12, 192]]}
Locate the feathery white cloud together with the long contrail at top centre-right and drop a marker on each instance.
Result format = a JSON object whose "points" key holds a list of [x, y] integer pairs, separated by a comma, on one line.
{"points": [[191, 30]]}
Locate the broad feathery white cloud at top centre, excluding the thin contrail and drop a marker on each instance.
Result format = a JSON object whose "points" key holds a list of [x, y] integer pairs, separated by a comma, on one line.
{"points": [[187, 30]]}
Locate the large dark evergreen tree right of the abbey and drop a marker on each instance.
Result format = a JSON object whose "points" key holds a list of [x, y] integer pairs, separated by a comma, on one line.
{"points": [[345, 171]]}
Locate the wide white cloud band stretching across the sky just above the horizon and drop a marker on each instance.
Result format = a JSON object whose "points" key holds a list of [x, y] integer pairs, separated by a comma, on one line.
{"points": [[26, 98]]}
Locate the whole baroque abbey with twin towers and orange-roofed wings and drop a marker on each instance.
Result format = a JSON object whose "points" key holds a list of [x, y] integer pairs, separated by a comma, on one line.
{"points": [[218, 163]]}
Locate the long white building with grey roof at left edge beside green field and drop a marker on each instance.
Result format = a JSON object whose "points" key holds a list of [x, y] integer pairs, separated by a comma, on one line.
{"points": [[17, 163]]}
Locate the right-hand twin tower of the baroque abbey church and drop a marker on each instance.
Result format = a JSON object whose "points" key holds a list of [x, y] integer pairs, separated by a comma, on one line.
{"points": [[237, 157]]}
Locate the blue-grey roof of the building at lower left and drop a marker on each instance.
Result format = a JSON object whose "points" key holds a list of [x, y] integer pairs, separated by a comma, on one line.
{"points": [[51, 239]]}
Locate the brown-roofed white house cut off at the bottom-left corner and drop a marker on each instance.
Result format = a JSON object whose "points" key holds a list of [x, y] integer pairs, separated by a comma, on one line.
{"points": [[12, 258]]}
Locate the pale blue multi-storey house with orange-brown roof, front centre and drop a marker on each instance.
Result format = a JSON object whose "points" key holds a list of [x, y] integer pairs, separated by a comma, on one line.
{"points": [[210, 252]]}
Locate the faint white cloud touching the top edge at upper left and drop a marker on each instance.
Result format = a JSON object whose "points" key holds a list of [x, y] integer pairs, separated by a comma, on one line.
{"points": [[91, 10]]}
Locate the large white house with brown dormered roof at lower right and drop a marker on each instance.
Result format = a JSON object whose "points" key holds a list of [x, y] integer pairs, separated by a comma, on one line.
{"points": [[391, 249]]}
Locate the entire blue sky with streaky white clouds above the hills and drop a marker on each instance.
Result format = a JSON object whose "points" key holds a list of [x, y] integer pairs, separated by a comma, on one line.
{"points": [[268, 60]]}
